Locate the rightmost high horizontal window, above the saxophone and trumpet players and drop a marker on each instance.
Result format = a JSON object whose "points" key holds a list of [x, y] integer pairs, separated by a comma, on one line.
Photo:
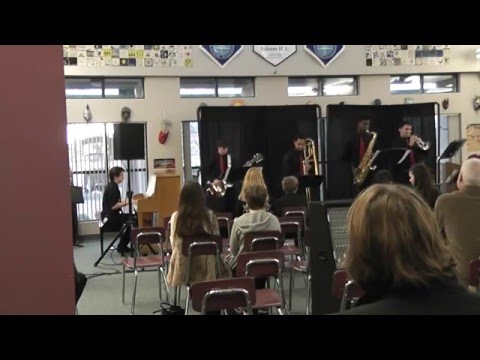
{"points": [[423, 84]]}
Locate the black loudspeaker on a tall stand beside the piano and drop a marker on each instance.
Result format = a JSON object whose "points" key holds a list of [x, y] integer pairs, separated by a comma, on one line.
{"points": [[128, 141]]}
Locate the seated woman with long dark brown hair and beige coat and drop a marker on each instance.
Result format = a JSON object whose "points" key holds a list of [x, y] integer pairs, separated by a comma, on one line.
{"points": [[192, 218]]}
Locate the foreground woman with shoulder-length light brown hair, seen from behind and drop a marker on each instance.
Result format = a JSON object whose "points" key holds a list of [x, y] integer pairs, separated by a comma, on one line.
{"points": [[403, 266]]}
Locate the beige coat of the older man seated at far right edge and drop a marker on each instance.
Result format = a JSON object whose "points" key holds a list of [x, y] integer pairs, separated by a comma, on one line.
{"points": [[458, 216]]}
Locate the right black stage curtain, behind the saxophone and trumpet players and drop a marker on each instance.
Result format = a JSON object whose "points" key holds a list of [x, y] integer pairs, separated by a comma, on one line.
{"points": [[385, 120]]}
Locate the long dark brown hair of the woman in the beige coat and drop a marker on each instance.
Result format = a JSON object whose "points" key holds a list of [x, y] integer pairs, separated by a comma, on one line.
{"points": [[193, 215]]}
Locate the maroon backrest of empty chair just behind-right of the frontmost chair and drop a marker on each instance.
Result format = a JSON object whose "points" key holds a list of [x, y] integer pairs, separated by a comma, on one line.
{"points": [[260, 264]]}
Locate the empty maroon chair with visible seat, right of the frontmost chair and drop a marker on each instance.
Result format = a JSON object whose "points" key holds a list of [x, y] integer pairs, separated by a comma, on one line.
{"points": [[265, 264]]}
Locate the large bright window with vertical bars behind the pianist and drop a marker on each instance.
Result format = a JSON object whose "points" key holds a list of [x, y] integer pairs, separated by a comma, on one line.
{"points": [[90, 148]]}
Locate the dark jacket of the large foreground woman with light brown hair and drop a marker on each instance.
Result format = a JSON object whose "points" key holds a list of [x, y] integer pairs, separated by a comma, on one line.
{"points": [[443, 297]]}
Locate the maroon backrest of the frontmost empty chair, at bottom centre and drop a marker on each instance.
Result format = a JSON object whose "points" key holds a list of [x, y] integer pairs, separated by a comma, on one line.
{"points": [[223, 294]]}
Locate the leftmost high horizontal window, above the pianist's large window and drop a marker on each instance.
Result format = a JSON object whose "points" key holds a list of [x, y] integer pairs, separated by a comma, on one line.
{"points": [[98, 88]]}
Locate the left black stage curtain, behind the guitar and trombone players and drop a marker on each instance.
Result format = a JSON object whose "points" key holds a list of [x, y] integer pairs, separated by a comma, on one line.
{"points": [[268, 130]]}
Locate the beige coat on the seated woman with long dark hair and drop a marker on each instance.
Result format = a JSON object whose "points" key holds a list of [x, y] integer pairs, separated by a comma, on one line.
{"points": [[203, 267]]}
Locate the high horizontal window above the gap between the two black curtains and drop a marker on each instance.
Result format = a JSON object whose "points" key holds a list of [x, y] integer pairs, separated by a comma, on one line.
{"points": [[322, 86]]}
